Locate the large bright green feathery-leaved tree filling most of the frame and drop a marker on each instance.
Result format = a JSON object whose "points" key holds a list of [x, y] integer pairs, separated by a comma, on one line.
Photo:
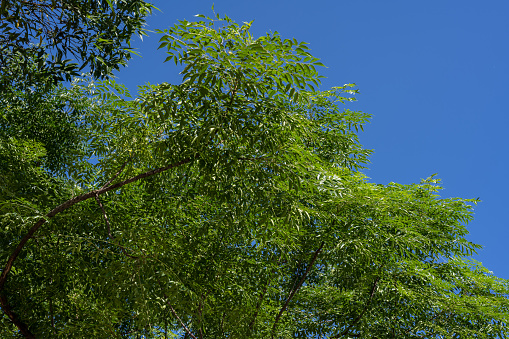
{"points": [[233, 205]]}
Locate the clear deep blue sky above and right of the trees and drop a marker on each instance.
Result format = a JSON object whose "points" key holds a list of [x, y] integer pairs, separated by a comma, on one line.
{"points": [[434, 75]]}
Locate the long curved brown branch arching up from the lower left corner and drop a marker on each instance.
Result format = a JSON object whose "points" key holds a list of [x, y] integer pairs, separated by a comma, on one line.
{"points": [[7, 309]]}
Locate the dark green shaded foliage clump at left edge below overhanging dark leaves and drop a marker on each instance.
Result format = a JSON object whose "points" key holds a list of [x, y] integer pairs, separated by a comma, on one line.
{"points": [[52, 115]]}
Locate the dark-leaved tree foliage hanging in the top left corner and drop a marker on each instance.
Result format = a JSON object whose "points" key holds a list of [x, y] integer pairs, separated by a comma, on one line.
{"points": [[45, 32]]}
